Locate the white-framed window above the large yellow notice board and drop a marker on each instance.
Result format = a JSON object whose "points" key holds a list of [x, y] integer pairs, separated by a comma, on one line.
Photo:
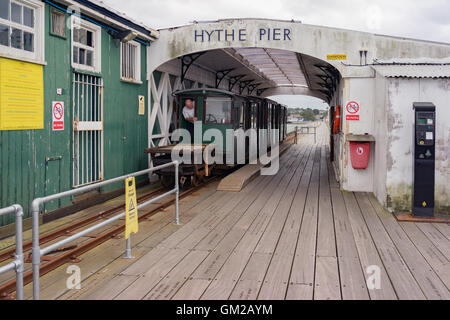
{"points": [[17, 26]]}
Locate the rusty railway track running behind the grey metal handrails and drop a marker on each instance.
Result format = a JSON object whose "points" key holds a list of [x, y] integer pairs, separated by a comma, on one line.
{"points": [[71, 254]]}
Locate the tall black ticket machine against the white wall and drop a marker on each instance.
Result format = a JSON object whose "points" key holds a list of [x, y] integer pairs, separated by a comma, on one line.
{"points": [[424, 159]]}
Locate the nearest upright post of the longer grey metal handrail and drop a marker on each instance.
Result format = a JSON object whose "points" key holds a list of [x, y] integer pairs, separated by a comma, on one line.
{"points": [[35, 251]]}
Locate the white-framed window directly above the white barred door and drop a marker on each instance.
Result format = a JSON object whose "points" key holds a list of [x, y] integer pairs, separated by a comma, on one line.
{"points": [[86, 46]]}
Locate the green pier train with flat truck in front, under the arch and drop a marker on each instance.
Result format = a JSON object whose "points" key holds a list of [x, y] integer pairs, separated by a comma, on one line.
{"points": [[223, 112]]}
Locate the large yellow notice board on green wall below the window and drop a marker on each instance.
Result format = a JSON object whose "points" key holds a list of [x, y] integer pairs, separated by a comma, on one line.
{"points": [[21, 95]]}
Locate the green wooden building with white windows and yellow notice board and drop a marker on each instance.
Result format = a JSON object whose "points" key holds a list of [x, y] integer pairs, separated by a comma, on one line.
{"points": [[73, 98]]}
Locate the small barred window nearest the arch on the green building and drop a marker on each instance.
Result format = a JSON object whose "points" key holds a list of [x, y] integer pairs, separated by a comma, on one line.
{"points": [[130, 64]]}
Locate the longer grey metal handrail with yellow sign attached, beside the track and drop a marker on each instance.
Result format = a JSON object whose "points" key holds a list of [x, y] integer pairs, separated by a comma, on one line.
{"points": [[37, 252]]}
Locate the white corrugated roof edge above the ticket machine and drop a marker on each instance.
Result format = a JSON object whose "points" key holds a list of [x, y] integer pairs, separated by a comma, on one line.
{"points": [[414, 71]]}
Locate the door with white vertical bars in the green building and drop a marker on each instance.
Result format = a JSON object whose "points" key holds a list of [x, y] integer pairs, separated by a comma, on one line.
{"points": [[87, 129]]}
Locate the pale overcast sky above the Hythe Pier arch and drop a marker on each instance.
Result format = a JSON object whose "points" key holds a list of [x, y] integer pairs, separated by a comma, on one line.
{"points": [[420, 19]]}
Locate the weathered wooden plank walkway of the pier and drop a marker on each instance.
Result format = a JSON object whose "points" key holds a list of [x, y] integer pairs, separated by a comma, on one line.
{"points": [[294, 235]]}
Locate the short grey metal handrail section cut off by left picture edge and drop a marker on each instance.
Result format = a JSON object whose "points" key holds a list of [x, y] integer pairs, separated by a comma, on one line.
{"points": [[17, 265]]}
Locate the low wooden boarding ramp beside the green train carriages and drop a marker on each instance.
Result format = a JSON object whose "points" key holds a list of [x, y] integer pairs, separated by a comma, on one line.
{"points": [[236, 181]]}
